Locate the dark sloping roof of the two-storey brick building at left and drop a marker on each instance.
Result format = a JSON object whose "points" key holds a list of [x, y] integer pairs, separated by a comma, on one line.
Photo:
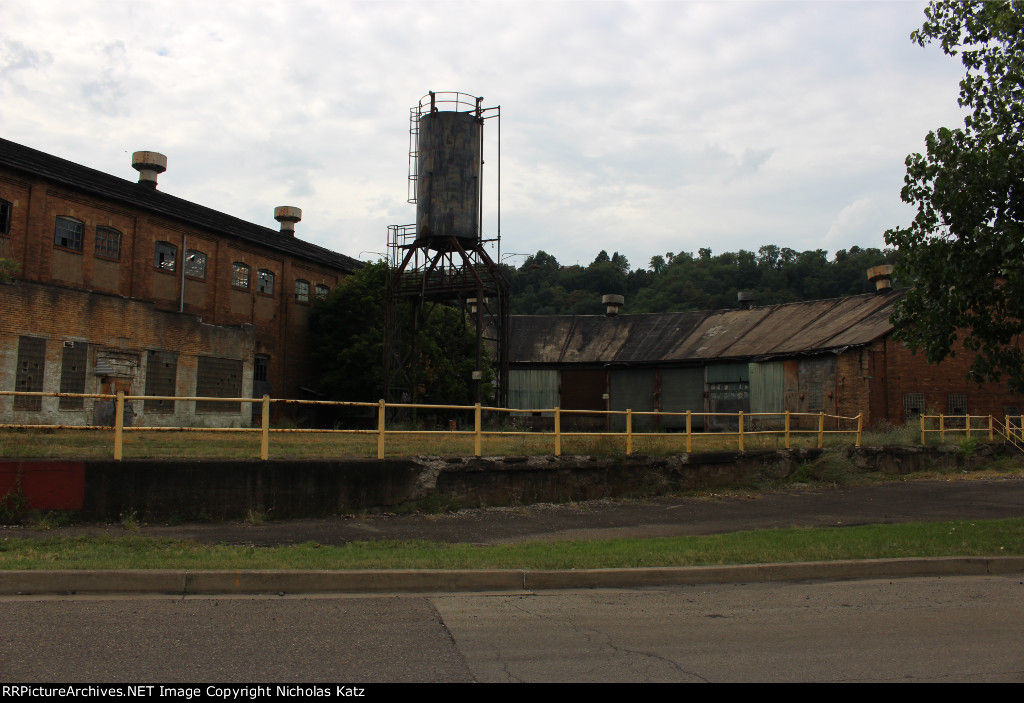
{"points": [[90, 181]]}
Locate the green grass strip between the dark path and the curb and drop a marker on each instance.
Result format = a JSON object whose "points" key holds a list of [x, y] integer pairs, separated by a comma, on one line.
{"points": [[963, 539]]}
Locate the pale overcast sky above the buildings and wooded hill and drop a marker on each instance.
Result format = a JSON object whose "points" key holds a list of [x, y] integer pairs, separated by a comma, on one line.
{"points": [[642, 127]]}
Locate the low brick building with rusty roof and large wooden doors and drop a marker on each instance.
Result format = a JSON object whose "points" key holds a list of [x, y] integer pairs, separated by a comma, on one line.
{"points": [[838, 357]]}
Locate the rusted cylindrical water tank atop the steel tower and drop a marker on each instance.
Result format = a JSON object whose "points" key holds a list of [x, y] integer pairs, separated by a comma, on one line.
{"points": [[451, 148]]}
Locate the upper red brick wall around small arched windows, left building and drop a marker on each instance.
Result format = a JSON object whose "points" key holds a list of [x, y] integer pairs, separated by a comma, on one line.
{"points": [[279, 322]]}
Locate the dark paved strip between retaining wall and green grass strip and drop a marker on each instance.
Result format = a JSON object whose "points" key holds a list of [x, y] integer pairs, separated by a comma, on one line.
{"points": [[891, 503]]}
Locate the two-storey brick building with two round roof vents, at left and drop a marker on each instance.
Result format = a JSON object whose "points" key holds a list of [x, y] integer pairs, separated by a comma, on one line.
{"points": [[119, 286]]}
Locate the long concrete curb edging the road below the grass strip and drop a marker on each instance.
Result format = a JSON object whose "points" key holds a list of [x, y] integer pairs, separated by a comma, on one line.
{"points": [[184, 583]]}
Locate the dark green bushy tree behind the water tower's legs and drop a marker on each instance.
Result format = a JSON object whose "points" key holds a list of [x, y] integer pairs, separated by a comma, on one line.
{"points": [[348, 334]]}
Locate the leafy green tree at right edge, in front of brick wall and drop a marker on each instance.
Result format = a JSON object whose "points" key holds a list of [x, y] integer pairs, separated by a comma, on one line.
{"points": [[964, 252]]}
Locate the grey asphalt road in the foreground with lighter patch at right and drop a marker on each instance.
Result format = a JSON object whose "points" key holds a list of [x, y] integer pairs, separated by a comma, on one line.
{"points": [[918, 630]]}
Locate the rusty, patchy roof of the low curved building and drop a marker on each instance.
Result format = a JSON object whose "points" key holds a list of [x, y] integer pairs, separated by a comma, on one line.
{"points": [[763, 333]]}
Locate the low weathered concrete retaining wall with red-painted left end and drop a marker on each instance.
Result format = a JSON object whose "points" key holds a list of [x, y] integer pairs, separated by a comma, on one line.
{"points": [[228, 490]]}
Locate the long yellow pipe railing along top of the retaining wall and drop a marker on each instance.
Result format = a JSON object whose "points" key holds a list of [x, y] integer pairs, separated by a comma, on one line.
{"points": [[525, 431]]}
